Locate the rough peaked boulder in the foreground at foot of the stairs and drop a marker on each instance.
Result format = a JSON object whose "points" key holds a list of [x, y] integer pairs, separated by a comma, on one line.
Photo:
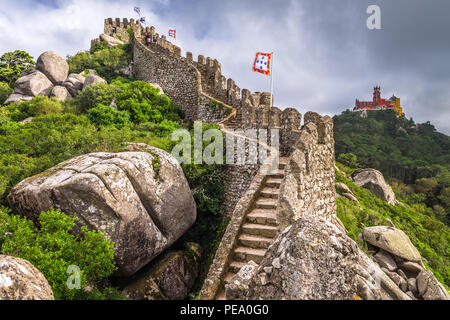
{"points": [[309, 260]]}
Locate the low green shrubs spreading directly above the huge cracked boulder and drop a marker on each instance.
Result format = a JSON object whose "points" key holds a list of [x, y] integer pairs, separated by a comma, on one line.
{"points": [[31, 148]]}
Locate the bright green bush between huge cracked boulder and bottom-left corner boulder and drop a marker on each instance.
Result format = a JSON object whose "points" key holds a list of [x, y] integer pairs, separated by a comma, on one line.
{"points": [[53, 248]]}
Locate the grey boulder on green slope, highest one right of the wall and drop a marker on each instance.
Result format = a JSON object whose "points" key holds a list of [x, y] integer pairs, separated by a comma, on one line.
{"points": [[373, 180]]}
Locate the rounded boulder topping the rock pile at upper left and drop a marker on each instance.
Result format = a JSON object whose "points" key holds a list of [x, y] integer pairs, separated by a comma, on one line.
{"points": [[53, 66]]}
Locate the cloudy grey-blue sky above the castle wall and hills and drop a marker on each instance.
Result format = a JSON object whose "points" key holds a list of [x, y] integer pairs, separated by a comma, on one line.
{"points": [[324, 55]]}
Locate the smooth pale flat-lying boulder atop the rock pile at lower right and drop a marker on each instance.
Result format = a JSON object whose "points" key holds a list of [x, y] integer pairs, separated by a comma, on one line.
{"points": [[392, 240]]}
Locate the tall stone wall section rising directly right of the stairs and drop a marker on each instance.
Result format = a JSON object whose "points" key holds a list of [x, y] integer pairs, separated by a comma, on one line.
{"points": [[308, 186]]}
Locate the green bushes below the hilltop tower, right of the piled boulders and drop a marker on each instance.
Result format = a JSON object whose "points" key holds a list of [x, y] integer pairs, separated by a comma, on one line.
{"points": [[106, 61]]}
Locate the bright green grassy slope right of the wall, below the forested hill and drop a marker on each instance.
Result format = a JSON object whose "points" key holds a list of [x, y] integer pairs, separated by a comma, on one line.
{"points": [[430, 236]]}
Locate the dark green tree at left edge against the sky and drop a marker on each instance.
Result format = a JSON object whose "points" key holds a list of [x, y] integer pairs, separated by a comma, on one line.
{"points": [[12, 64]]}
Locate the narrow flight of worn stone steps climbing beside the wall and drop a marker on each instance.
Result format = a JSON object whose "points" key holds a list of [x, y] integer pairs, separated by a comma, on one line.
{"points": [[259, 228]]}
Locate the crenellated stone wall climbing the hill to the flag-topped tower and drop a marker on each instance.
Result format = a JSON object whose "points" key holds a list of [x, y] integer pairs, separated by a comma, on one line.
{"points": [[198, 83]]}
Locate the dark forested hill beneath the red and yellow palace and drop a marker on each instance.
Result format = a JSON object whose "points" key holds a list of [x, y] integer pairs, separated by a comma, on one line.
{"points": [[414, 158]]}
